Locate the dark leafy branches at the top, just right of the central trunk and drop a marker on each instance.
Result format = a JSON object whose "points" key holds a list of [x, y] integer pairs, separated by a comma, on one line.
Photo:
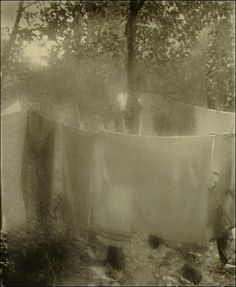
{"points": [[168, 29]]}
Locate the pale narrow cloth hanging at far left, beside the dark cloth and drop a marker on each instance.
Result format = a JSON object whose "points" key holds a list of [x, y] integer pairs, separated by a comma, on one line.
{"points": [[13, 207]]}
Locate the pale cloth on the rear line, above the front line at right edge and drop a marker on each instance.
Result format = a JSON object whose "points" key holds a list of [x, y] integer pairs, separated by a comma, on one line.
{"points": [[212, 121]]}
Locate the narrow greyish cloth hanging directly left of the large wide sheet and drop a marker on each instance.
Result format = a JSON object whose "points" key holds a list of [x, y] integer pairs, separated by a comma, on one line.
{"points": [[77, 164]]}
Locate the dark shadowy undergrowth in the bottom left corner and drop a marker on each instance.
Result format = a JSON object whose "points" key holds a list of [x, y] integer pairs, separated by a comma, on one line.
{"points": [[36, 258]]}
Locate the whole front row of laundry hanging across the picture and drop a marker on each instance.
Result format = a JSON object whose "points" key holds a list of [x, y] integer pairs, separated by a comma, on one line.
{"points": [[164, 184]]}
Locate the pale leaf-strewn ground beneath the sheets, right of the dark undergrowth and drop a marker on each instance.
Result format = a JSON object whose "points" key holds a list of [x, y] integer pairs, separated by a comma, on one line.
{"points": [[147, 266]]}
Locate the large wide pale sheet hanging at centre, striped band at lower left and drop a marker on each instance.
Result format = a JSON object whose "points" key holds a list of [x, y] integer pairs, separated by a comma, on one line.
{"points": [[156, 183]]}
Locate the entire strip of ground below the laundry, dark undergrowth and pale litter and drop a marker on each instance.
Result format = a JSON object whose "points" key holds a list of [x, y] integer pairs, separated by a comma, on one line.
{"points": [[63, 260]]}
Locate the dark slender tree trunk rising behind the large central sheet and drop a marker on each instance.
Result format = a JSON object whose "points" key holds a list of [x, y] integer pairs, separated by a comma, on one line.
{"points": [[132, 113]]}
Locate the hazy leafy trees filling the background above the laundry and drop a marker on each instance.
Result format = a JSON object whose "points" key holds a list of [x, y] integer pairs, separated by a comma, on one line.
{"points": [[181, 49]]}
